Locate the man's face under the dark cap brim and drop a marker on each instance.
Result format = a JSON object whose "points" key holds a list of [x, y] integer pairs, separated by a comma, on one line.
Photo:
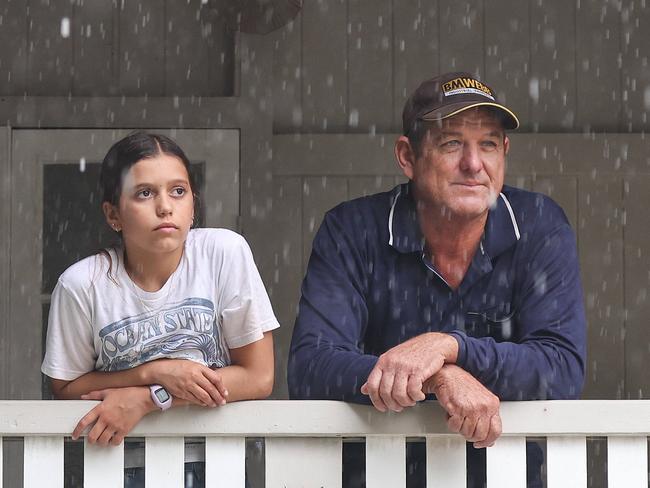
{"points": [[461, 166]]}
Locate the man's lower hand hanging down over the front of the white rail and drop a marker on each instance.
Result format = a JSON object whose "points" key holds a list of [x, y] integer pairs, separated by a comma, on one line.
{"points": [[472, 409]]}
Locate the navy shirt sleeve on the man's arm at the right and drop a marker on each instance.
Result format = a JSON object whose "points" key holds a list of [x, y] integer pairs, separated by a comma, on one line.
{"points": [[546, 359]]}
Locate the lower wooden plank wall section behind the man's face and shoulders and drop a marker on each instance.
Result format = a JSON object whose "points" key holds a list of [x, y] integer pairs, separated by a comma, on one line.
{"points": [[601, 183]]}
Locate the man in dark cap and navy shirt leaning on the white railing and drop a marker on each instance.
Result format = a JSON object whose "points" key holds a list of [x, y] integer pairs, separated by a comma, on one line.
{"points": [[450, 284]]}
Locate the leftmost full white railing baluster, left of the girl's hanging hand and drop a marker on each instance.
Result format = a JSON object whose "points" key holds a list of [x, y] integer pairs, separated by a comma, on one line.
{"points": [[43, 462]]}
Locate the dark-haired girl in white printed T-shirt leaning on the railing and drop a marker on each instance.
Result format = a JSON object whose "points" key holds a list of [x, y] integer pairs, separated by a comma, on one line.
{"points": [[171, 317]]}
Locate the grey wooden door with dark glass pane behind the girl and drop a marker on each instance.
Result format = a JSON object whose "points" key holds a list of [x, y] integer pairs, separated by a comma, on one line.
{"points": [[55, 219]]}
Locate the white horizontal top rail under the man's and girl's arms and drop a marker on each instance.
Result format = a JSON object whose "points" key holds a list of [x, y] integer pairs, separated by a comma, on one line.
{"points": [[285, 418]]}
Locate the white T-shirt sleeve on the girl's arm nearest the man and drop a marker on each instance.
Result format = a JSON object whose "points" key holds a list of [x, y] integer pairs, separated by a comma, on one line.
{"points": [[246, 311]]}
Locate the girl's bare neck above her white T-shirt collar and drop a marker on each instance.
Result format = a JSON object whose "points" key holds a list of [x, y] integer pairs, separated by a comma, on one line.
{"points": [[151, 271]]}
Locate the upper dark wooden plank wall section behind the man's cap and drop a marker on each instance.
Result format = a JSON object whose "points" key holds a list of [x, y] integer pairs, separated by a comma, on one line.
{"points": [[348, 65]]}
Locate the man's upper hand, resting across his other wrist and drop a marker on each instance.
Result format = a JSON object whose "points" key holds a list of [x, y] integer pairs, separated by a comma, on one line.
{"points": [[396, 380]]}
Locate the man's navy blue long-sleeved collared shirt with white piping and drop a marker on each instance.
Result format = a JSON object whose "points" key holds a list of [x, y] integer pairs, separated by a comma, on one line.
{"points": [[518, 314]]}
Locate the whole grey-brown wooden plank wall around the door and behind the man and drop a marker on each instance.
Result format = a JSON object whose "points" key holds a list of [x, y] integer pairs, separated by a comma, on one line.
{"points": [[318, 104]]}
